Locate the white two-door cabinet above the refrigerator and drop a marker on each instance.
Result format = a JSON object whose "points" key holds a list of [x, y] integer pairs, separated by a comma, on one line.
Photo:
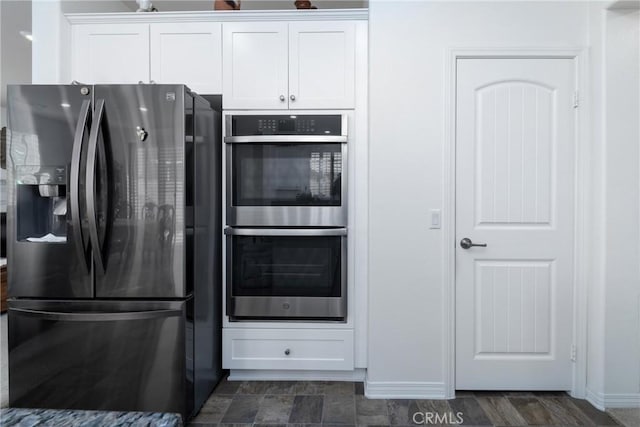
{"points": [[186, 53]]}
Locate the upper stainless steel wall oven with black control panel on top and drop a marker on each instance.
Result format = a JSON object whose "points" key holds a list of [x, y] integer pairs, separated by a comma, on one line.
{"points": [[286, 170]]}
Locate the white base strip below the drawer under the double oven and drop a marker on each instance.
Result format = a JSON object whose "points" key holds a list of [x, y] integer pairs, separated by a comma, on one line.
{"points": [[293, 375]]}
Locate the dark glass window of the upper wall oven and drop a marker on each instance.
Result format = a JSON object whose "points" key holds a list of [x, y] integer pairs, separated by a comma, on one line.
{"points": [[287, 174]]}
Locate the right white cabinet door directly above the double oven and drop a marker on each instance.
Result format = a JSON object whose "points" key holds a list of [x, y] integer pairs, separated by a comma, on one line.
{"points": [[321, 65]]}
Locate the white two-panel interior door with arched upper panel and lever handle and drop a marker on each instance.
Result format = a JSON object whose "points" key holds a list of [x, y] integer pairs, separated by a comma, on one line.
{"points": [[515, 184]]}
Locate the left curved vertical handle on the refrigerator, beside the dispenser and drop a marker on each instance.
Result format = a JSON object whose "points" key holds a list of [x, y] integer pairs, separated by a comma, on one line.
{"points": [[85, 116]]}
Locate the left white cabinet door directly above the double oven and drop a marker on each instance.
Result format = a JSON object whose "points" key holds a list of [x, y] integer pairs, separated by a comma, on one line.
{"points": [[254, 67]]}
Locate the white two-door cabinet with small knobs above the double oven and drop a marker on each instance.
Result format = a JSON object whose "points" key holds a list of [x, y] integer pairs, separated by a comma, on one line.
{"points": [[298, 65]]}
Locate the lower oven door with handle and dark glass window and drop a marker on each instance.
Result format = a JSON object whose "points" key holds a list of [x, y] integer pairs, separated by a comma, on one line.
{"points": [[286, 274]]}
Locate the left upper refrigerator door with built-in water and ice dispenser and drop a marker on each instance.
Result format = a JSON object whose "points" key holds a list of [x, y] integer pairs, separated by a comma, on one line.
{"points": [[47, 235]]}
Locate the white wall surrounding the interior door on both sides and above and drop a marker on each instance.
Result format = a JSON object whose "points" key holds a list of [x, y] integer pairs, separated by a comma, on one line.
{"points": [[408, 54]]}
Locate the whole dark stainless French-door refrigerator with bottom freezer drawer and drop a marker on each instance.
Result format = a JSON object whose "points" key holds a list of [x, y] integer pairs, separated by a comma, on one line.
{"points": [[113, 241]]}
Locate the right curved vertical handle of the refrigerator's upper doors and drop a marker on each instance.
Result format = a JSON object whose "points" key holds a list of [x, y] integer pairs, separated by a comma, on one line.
{"points": [[90, 188]]}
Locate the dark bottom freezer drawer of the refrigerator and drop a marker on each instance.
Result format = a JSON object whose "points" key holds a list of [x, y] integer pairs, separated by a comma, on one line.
{"points": [[113, 355]]}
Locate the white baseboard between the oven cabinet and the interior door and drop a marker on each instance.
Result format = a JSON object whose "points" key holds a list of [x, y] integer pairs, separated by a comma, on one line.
{"points": [[404, 390]]}
